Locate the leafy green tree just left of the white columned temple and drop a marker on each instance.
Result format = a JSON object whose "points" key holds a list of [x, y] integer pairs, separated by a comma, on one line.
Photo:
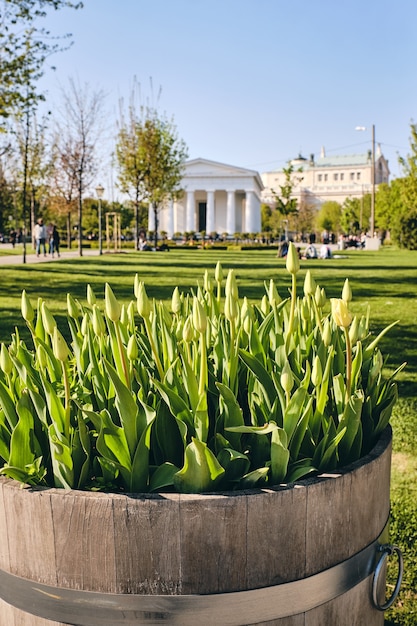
{"points": [[151, 159]]}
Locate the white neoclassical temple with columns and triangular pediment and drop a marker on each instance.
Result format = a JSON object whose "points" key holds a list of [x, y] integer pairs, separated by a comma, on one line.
{"points": [[217, 198]]}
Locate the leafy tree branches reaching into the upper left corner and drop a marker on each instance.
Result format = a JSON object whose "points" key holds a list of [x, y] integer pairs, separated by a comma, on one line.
{"points": [[24, 48]]}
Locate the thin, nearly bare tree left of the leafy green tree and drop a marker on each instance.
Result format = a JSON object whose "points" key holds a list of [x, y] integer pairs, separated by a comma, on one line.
{"points": [[75, 146]]}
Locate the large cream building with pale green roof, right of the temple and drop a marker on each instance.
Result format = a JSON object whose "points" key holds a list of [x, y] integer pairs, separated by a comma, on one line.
{"points": [[329, 178]]}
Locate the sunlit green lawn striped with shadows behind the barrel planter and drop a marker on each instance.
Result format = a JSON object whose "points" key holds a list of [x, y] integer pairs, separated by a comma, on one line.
{"points": [[386, 281]]}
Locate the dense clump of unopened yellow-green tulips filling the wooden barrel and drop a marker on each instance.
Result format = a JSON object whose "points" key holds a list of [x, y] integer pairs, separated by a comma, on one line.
{"points": [[215, 393]]}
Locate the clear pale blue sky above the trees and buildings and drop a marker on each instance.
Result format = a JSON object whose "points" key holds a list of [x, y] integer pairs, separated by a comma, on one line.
{"points": [[254, 82]]}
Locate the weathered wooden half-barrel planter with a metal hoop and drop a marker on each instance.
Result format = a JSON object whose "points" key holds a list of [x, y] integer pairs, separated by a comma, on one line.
{"points": [[295, 555]]}
